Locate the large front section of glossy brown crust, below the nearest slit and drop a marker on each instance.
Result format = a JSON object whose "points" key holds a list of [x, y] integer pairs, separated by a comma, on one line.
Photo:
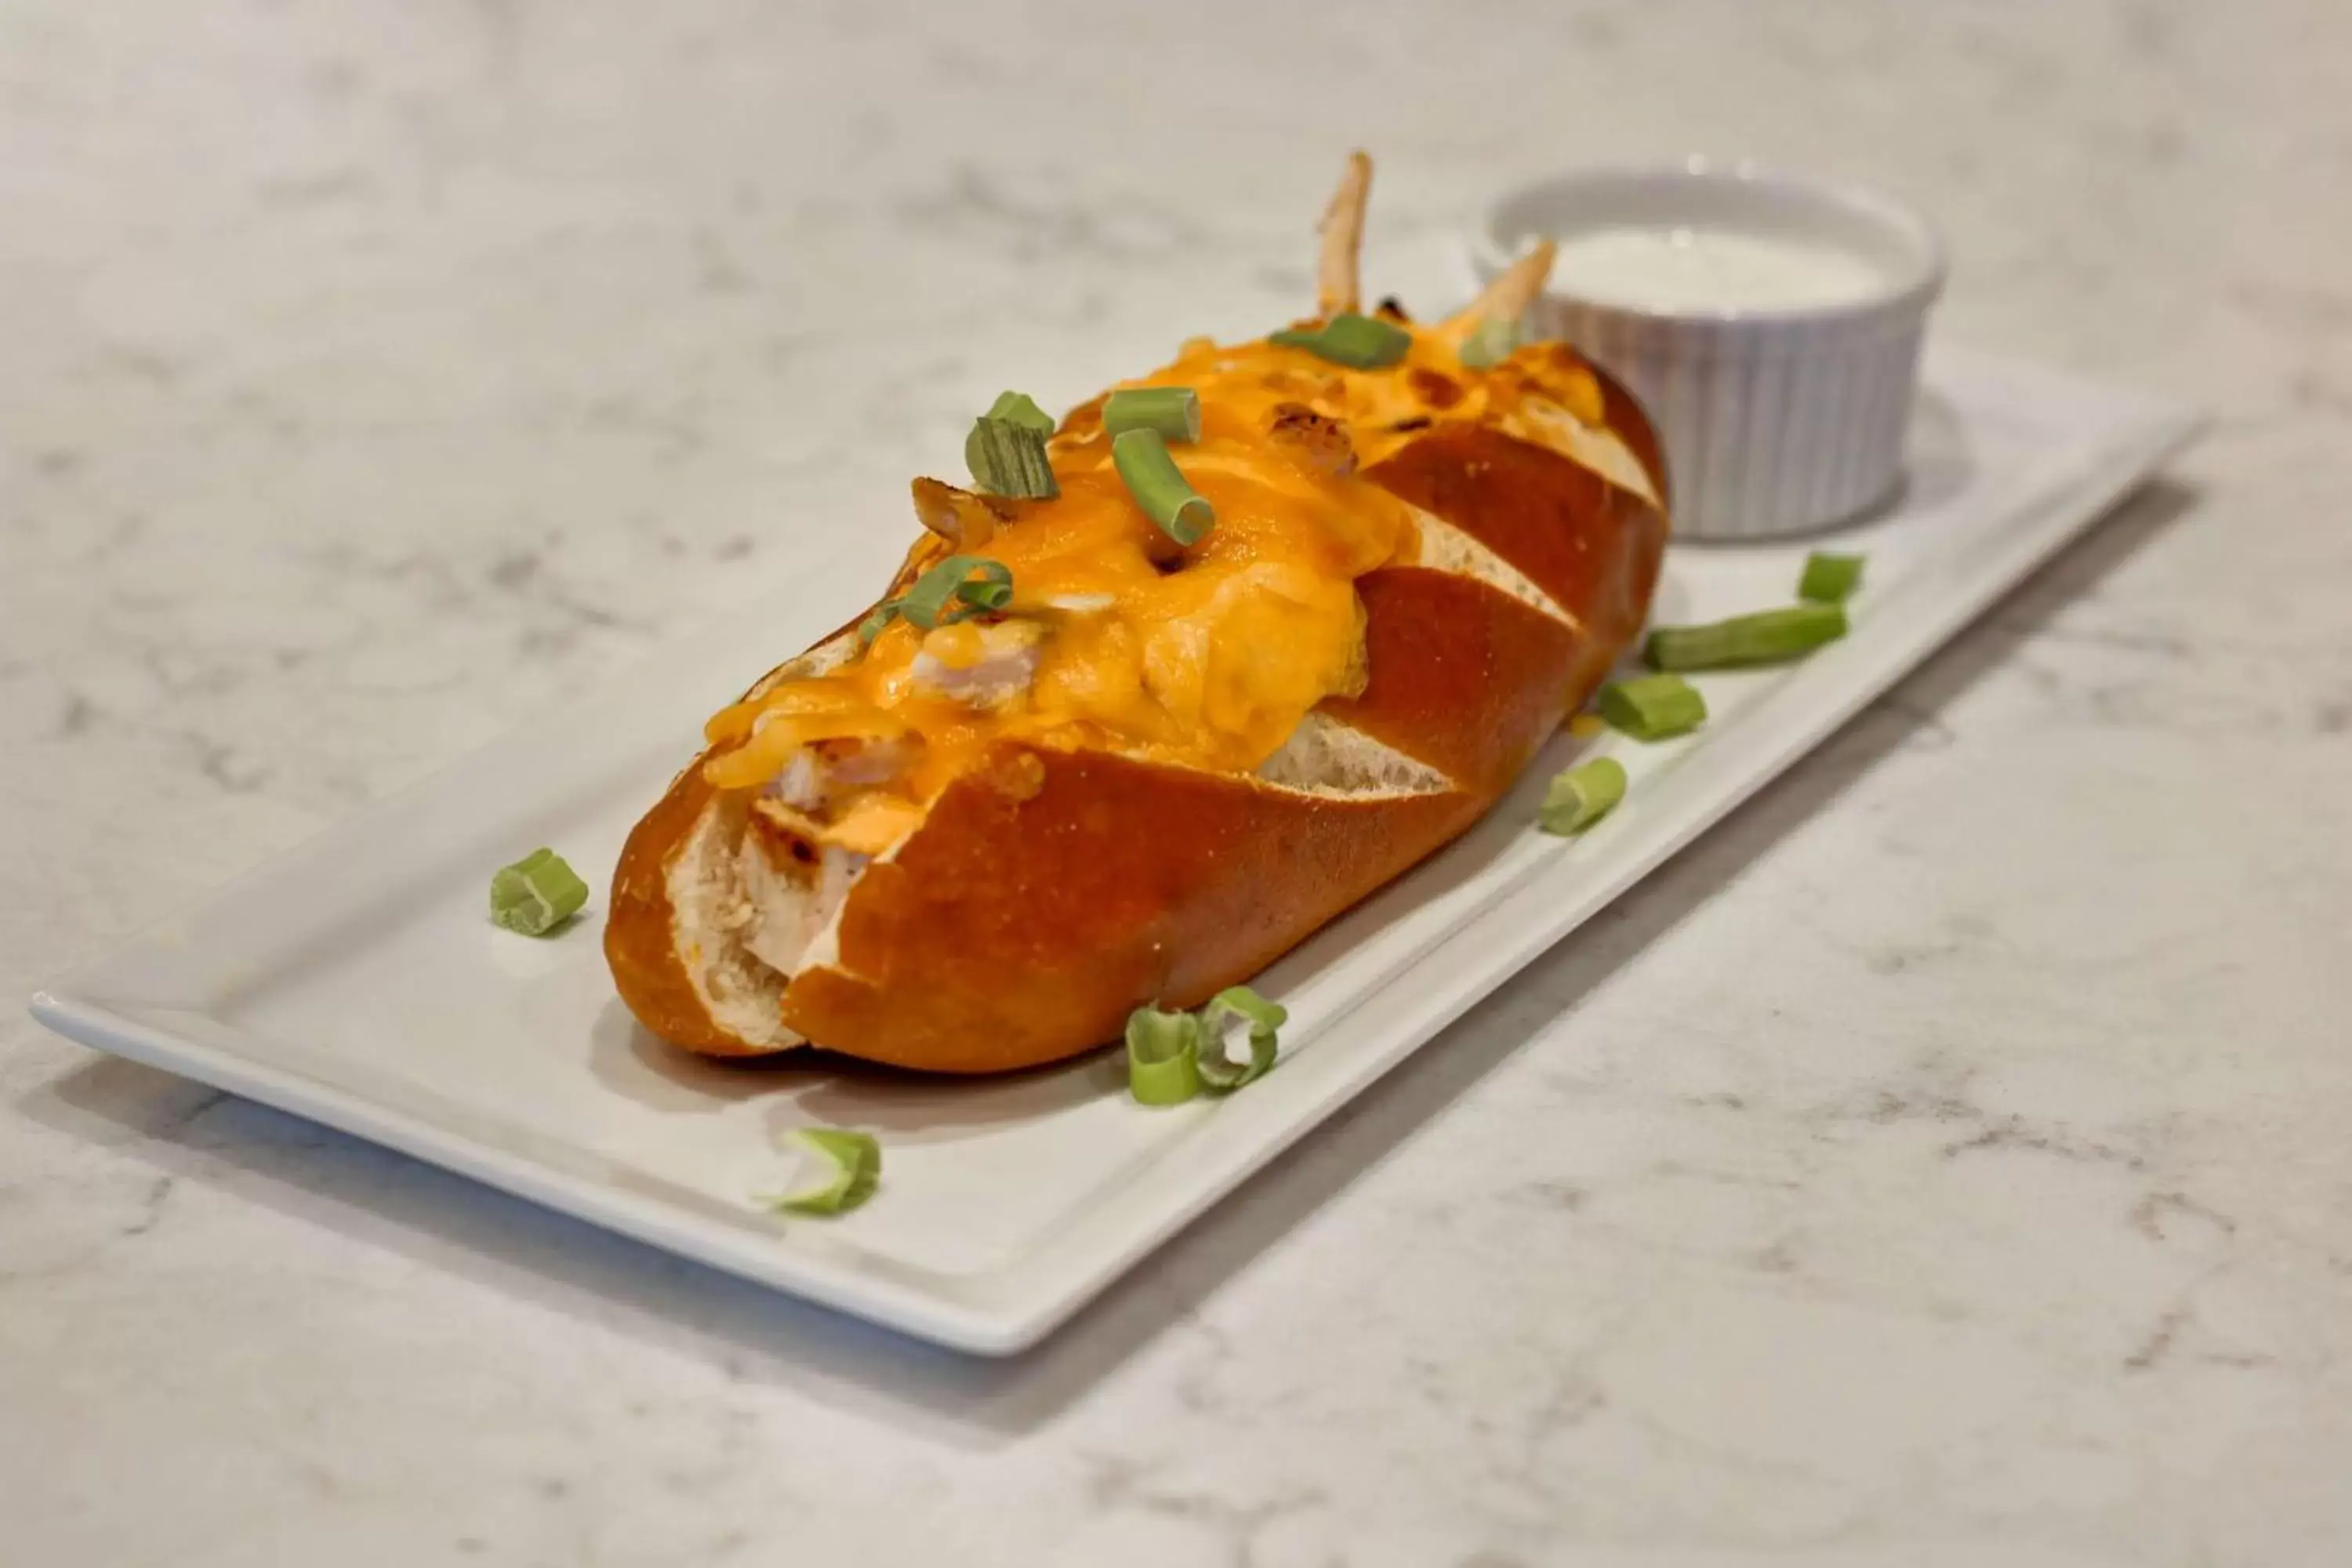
{"points": [[1010, 927]]}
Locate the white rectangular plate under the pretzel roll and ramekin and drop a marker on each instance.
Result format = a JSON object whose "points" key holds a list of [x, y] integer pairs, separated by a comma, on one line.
{"points": [[359, 984]]}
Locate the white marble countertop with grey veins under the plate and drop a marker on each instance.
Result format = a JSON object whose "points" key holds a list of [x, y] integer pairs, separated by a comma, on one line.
{"points": [[1946, 1162]]}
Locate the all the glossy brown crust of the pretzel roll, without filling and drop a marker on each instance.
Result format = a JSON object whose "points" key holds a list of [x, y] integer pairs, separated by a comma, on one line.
{"points": [[1017, 927]]}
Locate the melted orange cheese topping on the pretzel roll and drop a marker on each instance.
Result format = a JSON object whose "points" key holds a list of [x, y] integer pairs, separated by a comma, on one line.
{"points": [[1111, 638]]}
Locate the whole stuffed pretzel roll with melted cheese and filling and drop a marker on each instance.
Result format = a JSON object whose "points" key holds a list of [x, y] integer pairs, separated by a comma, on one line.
{"points": [[1123, 744]]}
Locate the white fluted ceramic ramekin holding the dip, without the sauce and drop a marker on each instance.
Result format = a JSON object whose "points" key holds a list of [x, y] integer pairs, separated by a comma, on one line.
{"points": [[1775, 422]]}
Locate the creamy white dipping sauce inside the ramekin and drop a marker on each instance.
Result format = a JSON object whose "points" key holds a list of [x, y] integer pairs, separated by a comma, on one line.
{"points": [[1711, 269]]}
